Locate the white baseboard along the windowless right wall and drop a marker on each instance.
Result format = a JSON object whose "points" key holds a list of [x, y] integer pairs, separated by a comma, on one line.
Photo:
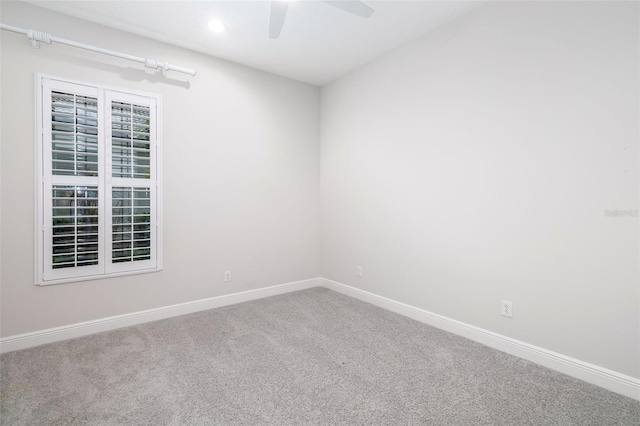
{"points": [[608, 379]]}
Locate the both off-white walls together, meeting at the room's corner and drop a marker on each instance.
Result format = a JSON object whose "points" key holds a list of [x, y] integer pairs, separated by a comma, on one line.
{"points": [[472, 165]]}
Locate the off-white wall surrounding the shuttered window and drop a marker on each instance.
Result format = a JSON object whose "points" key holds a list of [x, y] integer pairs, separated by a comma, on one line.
{"points": [[241, 174]]}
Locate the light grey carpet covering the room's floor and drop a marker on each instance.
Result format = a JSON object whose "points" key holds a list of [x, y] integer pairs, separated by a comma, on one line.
{"points": [[313, 357]]}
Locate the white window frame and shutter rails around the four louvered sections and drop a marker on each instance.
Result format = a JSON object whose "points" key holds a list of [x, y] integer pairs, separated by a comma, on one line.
{"points": [[105, 182]]}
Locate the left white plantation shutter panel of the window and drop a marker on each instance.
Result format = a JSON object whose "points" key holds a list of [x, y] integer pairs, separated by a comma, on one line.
{"points": [[71, 168]]}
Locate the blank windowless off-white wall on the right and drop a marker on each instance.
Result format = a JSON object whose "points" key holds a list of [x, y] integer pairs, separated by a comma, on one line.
{"points": [[476, 164]]}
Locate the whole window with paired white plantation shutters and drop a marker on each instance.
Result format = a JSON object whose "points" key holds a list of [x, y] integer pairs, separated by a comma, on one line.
{"points": [[99, 193]]}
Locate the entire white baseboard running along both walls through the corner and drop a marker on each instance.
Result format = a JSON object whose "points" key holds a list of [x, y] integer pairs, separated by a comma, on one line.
{"points": [[608, 379]]}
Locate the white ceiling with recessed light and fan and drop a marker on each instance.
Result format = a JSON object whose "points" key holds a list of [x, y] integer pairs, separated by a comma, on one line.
{"points": [[318, 43]]}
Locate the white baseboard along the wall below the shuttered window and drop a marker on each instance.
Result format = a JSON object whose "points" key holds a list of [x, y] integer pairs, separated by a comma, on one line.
{"points": [[27, 340]]}
